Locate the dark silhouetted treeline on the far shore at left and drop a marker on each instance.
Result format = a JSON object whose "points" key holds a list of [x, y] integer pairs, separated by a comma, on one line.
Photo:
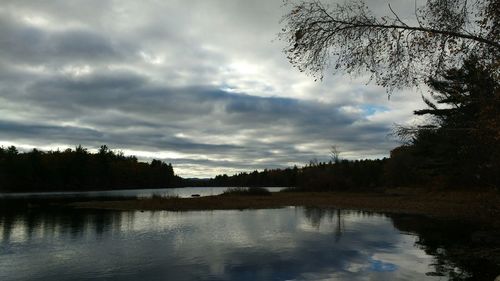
{"points": [[78, 169]]}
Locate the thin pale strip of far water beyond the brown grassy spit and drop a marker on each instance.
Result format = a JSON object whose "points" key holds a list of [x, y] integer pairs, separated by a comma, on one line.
{"points": [[140, 193]]}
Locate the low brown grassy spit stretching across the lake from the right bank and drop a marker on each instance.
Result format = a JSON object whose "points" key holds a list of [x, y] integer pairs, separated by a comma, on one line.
{"points": [[475, 206]]}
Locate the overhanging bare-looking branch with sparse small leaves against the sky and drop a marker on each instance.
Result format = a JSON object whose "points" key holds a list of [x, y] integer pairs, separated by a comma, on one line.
{"points": [[396, 53]]}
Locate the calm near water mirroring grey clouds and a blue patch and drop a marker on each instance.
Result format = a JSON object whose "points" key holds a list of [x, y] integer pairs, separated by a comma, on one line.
{"points": [[273, 244]]}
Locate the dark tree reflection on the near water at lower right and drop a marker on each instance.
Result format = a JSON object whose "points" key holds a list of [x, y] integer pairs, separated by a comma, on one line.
{"points": [[451, 243]]}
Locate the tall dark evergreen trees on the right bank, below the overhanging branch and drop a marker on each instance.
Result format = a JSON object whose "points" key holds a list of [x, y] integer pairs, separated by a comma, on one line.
{"points": [[462, 139]]}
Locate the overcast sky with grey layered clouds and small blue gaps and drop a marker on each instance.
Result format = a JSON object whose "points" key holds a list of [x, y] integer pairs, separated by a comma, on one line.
{"points": [[201, 84]]}
